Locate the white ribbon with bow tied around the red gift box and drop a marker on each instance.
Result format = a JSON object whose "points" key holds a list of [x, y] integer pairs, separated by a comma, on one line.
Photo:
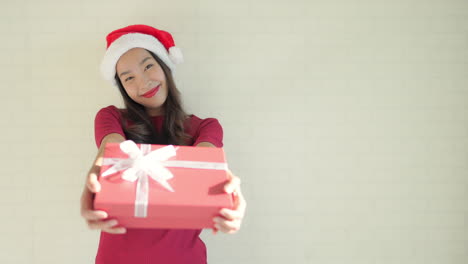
{"points": [[143, 162]]}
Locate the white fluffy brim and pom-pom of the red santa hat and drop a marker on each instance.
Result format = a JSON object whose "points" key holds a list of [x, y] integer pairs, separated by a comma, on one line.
{"points": [[136, 40]]}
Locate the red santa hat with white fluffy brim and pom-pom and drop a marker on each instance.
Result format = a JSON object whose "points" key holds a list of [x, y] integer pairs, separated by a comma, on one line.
{"points": [[139, 36]]}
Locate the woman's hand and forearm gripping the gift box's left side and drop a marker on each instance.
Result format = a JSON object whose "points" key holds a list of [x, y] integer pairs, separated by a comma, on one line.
{"points": [[96, 219]]}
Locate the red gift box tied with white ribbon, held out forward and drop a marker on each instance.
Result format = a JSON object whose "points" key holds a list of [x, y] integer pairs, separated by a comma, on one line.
{"points": [[162, 186]]}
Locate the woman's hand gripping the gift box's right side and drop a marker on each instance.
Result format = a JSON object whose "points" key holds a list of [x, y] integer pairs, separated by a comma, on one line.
{"points": [[230, 220]]}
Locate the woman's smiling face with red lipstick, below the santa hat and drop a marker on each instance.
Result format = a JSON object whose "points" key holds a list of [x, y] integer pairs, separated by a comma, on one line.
{"points": [[143, 79]]}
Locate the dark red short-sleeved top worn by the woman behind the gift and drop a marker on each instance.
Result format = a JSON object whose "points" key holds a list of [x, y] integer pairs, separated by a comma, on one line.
{"points": [[145, 246]]}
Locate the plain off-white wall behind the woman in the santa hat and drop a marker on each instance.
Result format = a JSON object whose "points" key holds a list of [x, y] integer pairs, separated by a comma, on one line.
{"points": [[346, 120]]}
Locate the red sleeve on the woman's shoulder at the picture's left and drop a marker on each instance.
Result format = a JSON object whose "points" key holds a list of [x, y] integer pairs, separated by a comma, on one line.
{"points": [[107, 121]]}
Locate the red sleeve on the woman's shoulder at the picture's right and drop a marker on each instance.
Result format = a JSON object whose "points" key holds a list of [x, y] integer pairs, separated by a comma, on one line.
{"points": [[207, 130]]}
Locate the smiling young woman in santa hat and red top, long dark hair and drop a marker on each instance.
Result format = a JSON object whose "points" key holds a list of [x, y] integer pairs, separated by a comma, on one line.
{"points": [[140, 61]]}
